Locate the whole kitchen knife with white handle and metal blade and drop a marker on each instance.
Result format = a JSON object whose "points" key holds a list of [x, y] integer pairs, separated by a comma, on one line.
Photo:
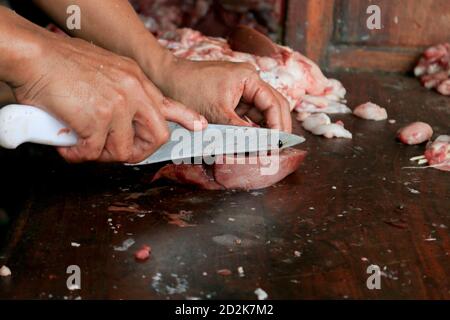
{"points": [[23, 123]]}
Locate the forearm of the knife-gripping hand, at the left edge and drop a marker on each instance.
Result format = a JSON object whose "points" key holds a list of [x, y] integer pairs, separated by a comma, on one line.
{"points": [[20, 44]]}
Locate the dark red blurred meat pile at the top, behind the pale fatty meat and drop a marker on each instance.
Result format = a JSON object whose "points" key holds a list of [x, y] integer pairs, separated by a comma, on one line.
{"points": [[212, 17]]}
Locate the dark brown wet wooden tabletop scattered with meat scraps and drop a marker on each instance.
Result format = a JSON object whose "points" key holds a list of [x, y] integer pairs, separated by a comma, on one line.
{"points": [[312, 236]]}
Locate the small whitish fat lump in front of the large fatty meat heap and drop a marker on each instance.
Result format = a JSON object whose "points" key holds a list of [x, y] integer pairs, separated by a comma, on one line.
{"points": [[320, 124]]}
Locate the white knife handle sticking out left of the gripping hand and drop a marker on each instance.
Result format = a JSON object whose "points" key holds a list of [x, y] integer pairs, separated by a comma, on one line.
{"points": [[22, 123]]}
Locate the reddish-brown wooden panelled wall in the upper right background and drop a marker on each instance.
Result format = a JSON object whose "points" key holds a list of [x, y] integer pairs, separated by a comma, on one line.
{"points": [[334, 32]]}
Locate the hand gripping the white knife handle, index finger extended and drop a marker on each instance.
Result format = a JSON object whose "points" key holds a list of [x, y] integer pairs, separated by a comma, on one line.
{"points": [[117, 113]]}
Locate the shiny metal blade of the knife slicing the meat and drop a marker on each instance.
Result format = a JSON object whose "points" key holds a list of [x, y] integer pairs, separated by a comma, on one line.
{"points": [[219, 139]]}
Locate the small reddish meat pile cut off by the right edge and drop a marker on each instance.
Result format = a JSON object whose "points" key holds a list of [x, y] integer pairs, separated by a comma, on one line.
{"points": [[434, 68]]}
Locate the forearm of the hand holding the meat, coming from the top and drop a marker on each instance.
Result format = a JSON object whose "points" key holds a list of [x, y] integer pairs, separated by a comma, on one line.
{"points": [[115, 26]]}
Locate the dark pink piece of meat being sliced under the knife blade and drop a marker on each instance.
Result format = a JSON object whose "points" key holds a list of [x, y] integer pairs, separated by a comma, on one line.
{"points": [[228, 173]]}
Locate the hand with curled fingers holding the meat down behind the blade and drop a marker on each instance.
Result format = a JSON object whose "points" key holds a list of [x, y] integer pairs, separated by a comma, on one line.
{"points": [[224, 91]]}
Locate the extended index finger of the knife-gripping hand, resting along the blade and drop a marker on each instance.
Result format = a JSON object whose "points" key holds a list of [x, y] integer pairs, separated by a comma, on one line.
{"points": [[179, 113]]}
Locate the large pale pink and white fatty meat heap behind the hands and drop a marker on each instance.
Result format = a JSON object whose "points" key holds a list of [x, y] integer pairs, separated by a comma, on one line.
{"points": [[296, 77]]}
